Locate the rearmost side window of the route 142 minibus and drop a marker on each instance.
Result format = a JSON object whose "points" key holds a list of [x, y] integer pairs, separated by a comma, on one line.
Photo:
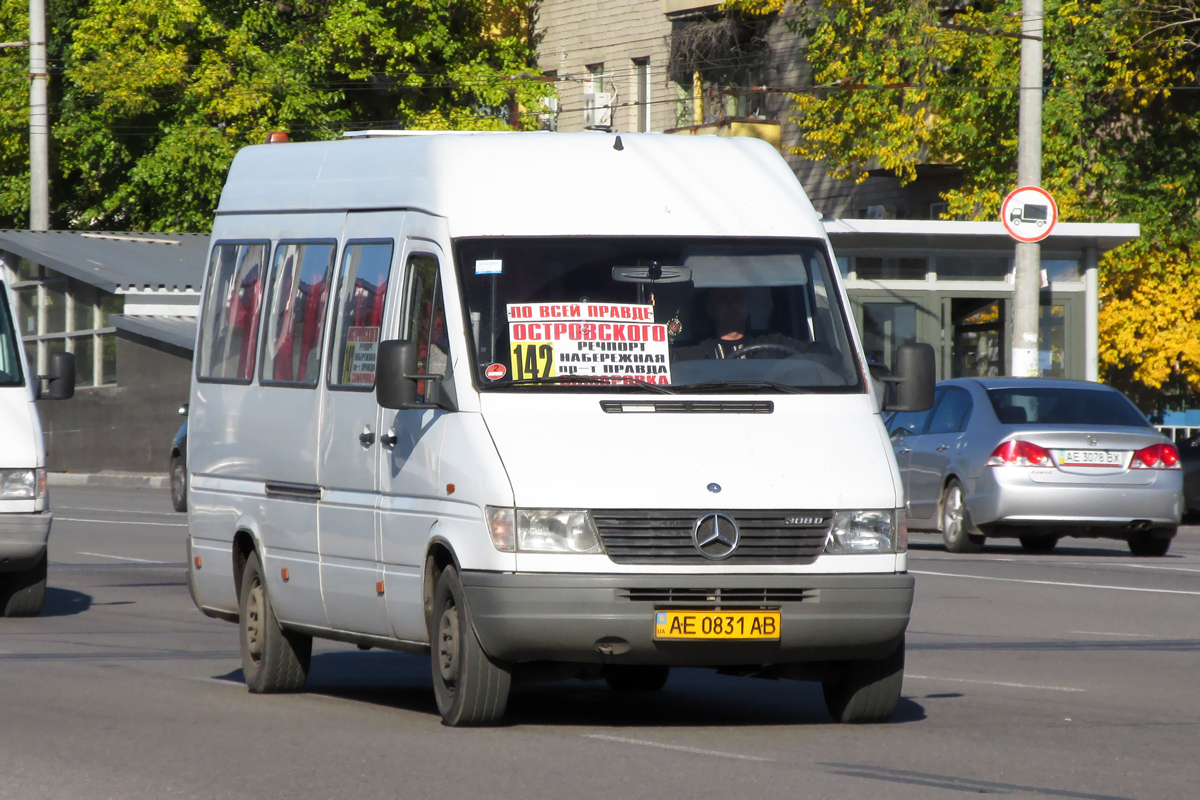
{"points": [[232, 305]]}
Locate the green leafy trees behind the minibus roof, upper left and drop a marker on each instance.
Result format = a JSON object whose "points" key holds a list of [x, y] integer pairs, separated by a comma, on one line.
{"points": [[154, 98]]}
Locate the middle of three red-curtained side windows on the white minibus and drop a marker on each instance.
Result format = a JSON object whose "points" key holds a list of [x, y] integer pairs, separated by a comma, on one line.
{"points": [[296, 312]]}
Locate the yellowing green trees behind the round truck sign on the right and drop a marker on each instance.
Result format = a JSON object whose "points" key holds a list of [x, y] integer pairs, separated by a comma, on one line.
{"points": [[898, 83]]}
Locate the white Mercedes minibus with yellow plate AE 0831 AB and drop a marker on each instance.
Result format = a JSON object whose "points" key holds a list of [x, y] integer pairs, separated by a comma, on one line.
{"points": [[585, 406]]}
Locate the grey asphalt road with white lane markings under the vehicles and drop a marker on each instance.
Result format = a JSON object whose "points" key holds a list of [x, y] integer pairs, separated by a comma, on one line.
{"points": [[1065, 676]]}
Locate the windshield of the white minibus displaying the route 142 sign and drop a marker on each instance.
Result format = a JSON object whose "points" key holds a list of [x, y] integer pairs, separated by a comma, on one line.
{"points": [[730, 316]]}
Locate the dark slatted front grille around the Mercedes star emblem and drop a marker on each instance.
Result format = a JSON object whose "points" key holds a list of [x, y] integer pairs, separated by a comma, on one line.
{"points": [[657, 537]]}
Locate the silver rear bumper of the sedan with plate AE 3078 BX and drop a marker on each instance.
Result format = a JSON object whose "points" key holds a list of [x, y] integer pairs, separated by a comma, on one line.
{"points": [[1005, 497]]}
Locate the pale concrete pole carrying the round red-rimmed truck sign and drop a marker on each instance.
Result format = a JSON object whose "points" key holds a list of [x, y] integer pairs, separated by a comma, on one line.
{"points": [[1028, 281]]}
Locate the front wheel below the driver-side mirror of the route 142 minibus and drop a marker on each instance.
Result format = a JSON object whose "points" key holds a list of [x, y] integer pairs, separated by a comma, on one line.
{"points": [[471, 688]]}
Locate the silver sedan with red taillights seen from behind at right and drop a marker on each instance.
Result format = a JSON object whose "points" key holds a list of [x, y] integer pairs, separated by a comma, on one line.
{"points": [[1037, 460]]}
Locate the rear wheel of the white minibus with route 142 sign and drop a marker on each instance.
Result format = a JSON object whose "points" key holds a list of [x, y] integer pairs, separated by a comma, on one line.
{"points": [[273, 660]]}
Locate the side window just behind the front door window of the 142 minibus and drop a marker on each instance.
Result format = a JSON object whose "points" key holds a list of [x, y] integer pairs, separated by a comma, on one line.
{"points": [[362, 292]]}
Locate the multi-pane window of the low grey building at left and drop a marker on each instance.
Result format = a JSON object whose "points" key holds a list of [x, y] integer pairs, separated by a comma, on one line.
{"points": [[57, 315]]}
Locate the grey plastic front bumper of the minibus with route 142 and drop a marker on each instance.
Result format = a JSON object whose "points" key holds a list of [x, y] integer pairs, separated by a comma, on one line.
{"points": [[610, 619]]}
